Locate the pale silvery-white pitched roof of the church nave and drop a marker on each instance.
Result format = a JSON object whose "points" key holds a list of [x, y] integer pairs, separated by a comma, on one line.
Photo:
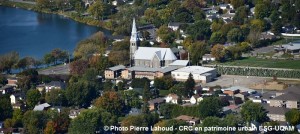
{"points": [[147, 53]]}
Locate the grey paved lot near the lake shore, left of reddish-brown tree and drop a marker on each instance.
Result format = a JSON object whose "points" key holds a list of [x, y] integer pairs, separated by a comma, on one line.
{"points": [[60, 69]]}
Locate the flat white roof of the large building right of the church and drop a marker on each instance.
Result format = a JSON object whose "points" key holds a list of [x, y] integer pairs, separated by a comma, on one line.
{"points": [[195, 69]]}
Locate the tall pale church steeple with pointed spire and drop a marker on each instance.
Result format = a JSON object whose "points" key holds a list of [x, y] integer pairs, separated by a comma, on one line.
{"points": [[134, 42]]}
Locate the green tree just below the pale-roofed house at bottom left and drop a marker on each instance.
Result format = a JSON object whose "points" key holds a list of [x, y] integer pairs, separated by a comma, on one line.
{"points": [[34, 121]]}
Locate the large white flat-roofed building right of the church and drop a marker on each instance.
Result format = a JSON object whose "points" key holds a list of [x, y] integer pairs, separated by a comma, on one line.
{"points": [[200, 74]]}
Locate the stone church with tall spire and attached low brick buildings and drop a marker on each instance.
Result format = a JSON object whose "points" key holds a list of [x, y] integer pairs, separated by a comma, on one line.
{"points": [[149, 62]]}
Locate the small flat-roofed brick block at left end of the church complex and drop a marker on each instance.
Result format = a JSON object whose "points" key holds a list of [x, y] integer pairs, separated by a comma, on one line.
{"points": [[114, 72]]}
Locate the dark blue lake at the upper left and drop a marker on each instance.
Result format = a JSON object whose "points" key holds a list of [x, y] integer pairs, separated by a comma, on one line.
{"points": [[34, 34]]}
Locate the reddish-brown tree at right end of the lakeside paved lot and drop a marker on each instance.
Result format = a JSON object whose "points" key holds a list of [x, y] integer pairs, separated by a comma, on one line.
{"points": [[78, 67]]}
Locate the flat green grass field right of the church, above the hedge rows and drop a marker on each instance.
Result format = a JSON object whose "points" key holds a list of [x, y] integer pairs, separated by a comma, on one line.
{"points": [[268, 63]]}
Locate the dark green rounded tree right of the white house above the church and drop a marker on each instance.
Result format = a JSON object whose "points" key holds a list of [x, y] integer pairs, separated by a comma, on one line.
{"points": [[200, 30]]}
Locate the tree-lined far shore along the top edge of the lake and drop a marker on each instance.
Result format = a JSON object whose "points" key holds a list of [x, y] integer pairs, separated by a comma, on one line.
{"points": [[69, 14]]}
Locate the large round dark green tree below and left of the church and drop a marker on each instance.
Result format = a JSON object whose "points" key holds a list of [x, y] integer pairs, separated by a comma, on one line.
{"points": [[81, 93]]}
